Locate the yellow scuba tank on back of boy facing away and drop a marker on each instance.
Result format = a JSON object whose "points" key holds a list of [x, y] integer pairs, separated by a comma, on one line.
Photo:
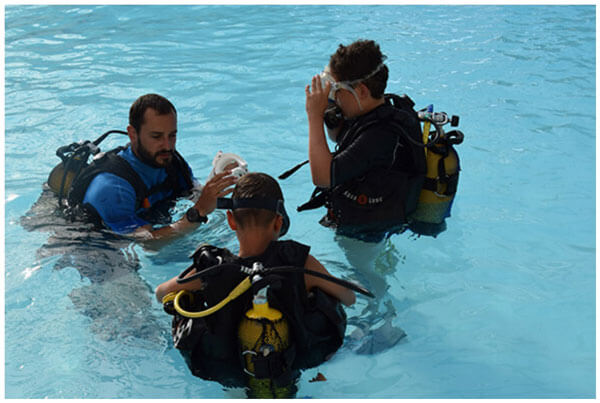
{"points": [[263, 331]]}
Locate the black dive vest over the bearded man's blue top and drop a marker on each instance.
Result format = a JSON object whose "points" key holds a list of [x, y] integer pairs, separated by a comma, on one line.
{"points": [[178, 180]]}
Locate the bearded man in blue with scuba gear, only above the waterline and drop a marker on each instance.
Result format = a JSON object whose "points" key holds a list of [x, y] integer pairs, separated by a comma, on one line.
{"points": [[130, 189]]}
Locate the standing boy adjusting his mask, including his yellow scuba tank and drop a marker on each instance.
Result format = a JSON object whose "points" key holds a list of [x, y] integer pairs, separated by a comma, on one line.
{"points": [[386, 173]]}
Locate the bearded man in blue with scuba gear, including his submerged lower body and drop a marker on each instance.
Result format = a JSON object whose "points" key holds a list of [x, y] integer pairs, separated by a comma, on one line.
{"points": [[124, 192]]}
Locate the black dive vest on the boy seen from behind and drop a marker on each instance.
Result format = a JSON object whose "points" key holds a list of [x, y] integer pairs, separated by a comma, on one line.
{"points": [[210, 345]]}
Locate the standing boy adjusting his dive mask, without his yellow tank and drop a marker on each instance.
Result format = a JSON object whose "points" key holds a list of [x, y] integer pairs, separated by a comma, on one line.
{"points": [[370, 182]]}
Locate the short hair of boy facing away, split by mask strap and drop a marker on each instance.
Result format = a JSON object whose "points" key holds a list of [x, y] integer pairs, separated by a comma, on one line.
{"points": [[255, 185]]}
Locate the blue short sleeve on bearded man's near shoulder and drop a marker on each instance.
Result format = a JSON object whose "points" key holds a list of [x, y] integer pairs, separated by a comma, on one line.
{"points": [[114, 200]]}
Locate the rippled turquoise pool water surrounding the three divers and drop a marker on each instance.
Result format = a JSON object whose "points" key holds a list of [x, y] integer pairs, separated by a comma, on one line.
{"points": [[501, 305]]}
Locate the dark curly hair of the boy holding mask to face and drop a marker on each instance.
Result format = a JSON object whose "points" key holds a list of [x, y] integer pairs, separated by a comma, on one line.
{"points": [[357, 60]]}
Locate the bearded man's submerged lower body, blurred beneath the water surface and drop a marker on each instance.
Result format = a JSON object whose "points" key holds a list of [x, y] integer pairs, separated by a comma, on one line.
{"points": [[117, 300]]}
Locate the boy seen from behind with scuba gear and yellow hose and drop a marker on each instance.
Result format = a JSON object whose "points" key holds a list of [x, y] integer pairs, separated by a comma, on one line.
{"points": [[291, 320]]}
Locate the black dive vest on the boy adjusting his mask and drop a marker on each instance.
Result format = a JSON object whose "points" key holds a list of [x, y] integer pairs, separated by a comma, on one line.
{"points": [[383, 198]]}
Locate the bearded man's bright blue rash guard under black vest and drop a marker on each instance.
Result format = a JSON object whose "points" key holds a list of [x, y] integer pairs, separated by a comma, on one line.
{"points": [[114, 198]]}
